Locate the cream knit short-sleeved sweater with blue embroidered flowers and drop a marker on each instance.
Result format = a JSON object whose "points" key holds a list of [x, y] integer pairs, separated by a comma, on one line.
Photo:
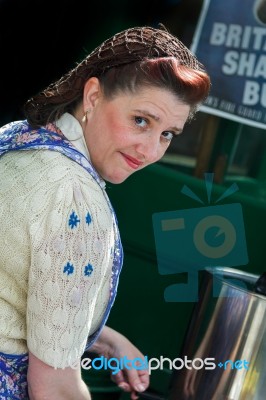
{"points": [[56, 256]]}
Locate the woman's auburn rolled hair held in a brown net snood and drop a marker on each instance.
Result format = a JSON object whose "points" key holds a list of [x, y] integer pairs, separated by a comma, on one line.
{"points": [[130, 60]]}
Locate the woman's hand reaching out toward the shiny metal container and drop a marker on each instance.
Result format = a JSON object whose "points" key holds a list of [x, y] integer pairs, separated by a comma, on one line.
{"points": [[112, 344]]}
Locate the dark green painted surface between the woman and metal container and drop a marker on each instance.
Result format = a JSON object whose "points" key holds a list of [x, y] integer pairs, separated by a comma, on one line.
{"points": [[140, 312]]}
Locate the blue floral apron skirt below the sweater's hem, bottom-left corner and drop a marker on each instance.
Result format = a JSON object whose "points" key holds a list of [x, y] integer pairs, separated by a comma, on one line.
{"points": [[13, 377]]}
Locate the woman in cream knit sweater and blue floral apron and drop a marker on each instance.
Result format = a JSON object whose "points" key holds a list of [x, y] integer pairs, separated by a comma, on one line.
{"points": [[112, 115]]}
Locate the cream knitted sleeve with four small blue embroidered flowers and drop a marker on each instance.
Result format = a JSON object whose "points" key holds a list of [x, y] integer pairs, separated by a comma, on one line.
{"points": [[72, 238]]}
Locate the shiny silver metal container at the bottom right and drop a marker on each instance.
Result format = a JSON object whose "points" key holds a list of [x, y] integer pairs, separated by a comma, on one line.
{"points": [[225, 347]]}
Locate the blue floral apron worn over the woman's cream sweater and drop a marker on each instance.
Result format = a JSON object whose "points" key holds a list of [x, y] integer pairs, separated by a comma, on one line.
{"points": [[19, 136]]}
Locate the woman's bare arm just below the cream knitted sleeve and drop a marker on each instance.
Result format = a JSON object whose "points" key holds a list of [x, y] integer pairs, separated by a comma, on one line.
{"points": [[46, 382]]}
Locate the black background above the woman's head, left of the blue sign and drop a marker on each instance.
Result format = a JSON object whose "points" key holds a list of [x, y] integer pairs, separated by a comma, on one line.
{"points": [[40, 40]]}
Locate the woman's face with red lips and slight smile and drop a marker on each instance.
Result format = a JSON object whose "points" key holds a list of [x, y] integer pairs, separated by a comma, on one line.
{"points": [[131, 131]]}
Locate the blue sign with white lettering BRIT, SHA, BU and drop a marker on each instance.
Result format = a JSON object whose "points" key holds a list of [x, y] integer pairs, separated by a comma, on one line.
{"points": [[230, 40]]}
